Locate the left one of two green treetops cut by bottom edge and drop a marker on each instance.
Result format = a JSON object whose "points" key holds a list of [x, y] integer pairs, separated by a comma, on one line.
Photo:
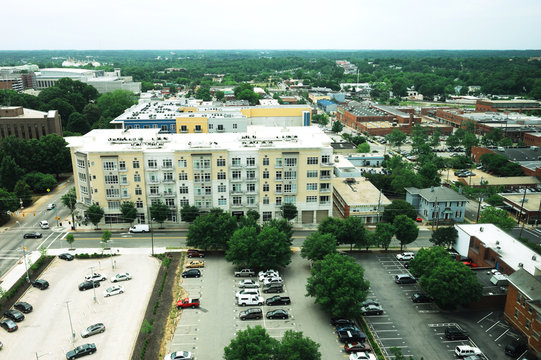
{"points": [[251, 344]]}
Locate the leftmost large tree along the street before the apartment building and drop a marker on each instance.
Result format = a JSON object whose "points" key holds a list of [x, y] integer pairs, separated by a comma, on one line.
{"points": [[212, 230]]}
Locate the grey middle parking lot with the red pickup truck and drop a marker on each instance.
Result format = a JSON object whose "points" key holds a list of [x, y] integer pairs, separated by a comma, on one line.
{"points": [[207, 330]]}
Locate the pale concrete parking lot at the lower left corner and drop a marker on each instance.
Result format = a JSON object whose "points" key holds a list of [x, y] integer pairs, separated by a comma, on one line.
{"points": [[46, 331]]}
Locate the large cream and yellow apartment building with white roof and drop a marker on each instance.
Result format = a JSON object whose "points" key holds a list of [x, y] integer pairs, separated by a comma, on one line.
{"points": [[260, 169]]}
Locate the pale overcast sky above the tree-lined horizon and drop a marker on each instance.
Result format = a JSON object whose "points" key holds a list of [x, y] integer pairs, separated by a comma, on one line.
{"points": [[276, 24]]}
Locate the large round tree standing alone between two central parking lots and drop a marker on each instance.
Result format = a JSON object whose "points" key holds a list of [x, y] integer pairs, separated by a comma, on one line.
{"points": [[338, 285]]}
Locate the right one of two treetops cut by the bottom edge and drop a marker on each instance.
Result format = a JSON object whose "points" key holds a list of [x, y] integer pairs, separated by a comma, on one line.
{"points": [[294, 346]]}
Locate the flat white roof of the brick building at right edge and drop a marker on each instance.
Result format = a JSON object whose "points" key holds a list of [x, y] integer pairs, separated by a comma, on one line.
{"points": [[510, 250]]}
